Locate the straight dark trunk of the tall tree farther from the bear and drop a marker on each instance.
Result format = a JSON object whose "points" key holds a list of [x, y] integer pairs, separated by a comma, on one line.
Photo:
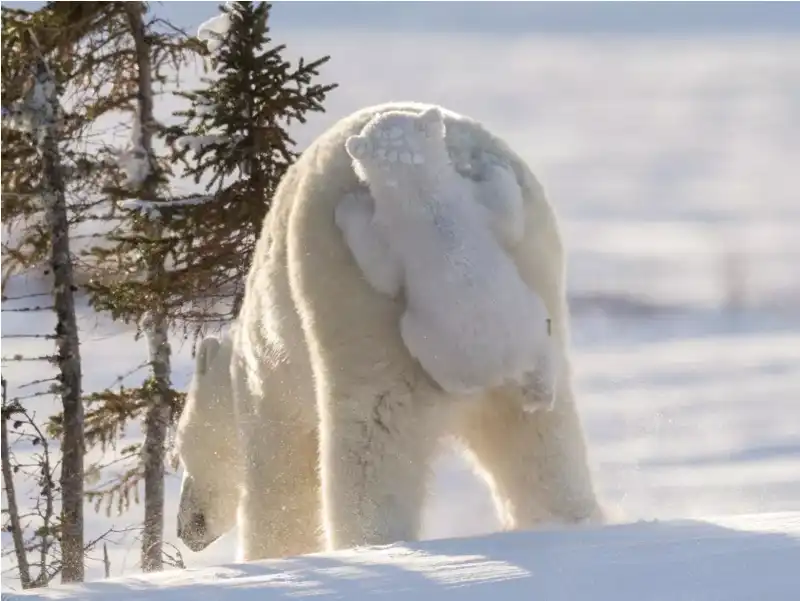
{"points": [[67, 342]]}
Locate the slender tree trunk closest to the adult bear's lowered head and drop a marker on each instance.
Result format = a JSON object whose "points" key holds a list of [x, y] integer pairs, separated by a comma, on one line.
{"points": [[158, 412]]}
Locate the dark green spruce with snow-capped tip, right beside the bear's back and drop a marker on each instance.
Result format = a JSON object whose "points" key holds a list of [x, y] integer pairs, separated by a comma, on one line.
{"points": [[233, 138]]}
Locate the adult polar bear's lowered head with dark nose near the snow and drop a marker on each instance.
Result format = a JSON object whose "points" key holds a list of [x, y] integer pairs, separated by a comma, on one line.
{"points": [[208, 447]]}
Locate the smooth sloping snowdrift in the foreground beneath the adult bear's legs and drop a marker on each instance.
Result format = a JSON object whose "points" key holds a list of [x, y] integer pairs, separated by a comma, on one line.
{"points": [[721, 559]]}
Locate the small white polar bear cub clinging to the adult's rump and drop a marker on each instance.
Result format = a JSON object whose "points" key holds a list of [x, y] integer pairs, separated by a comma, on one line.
{"points": [[423, 229]]}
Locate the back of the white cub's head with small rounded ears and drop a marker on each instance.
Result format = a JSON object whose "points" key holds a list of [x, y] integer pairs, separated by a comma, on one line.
{"points": [[398, 140]]}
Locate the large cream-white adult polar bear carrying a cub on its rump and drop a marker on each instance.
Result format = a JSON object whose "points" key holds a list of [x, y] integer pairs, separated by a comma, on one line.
{"points": [[334, 422]]}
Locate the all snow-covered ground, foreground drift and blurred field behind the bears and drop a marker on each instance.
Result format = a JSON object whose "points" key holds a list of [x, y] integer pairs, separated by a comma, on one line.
{"points": [[672, 163]]}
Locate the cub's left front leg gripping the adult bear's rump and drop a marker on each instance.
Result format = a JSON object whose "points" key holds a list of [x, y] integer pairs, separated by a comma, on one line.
{"points": [[354, 217]]}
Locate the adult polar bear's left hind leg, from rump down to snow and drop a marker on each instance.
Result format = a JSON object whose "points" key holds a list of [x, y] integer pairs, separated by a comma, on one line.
{"points": [[378, 411]]}
